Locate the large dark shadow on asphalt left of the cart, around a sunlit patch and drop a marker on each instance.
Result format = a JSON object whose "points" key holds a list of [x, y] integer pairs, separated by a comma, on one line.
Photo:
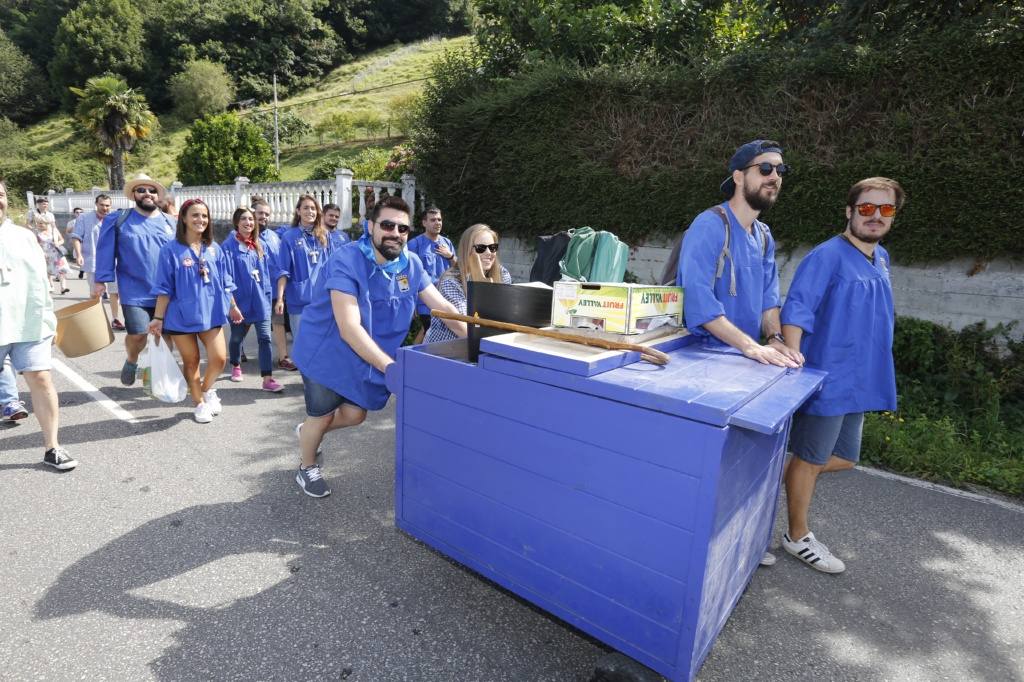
{"points": [[281, 586]]}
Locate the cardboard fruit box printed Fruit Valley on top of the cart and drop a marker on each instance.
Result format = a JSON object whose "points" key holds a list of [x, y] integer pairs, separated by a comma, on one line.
{"points": [[616, 308]]}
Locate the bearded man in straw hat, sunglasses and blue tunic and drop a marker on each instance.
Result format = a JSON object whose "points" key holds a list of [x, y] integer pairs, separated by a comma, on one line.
{"points": [[127, 249]]}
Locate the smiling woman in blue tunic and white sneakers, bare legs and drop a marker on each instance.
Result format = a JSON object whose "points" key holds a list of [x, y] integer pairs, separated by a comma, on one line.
{"points": [[194, 301]]}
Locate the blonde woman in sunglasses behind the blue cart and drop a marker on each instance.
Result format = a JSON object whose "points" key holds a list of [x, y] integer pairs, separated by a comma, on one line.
{"points": [[478, 262]]}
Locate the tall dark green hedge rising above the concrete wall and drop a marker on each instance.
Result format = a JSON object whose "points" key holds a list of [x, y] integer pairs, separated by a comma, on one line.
{"points": [[638, 150]]}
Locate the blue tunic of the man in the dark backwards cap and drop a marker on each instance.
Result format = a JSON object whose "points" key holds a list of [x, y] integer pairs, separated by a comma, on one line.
{"points": [[757, 276]]}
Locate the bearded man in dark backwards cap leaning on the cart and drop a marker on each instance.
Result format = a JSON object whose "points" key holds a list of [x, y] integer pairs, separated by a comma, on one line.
{"points": [[728, 265]]}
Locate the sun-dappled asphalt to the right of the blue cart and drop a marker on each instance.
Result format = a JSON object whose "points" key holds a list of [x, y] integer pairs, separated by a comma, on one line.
{"points": [[927, 594]]}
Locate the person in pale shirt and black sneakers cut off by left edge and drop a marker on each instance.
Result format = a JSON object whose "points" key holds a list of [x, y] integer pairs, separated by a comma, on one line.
{"points": [[28, 326]]}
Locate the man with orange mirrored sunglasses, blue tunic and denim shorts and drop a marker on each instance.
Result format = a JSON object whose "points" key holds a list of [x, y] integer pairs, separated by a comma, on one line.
{"points": [[840, 314]]}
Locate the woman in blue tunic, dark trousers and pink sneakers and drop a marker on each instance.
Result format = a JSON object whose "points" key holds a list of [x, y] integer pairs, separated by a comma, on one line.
{"points": [[249, 254]]}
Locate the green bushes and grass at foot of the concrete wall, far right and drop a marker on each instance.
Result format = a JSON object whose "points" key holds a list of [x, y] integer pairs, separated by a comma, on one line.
{"points": [[961, 417]]}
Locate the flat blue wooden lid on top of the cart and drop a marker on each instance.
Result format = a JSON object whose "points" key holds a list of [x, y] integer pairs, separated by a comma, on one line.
{"points": [[711, 385]]}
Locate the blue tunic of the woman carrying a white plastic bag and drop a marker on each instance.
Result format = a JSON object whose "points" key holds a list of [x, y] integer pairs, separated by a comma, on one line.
{"points": [[195, 306]]}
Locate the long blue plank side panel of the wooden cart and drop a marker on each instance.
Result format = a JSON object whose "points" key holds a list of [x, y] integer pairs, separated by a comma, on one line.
{"points": [[583, 505]]}
